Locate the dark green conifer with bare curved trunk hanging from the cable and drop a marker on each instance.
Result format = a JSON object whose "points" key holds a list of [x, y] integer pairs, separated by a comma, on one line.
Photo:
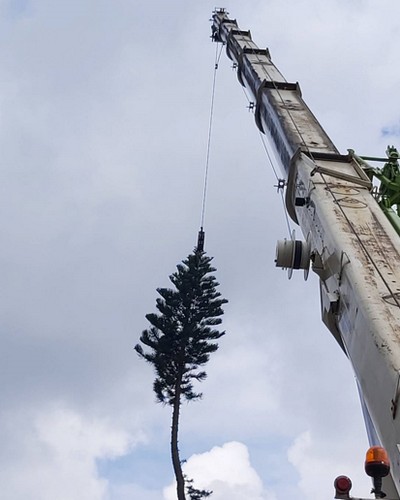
{"points": [[180, 340]]}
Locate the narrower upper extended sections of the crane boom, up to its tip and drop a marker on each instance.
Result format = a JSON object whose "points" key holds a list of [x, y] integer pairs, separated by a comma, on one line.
{"points": [[280, 109]]}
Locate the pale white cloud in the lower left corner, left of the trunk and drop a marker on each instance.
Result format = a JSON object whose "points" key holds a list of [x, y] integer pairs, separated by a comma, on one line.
{"points": [[56, 454]]}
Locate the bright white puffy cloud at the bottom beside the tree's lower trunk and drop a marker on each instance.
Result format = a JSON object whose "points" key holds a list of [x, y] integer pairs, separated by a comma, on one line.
{"points": [[227, 471]]}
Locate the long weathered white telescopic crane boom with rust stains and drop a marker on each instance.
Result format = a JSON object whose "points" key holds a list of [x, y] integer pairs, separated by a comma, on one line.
{"points": [[350, 242]]}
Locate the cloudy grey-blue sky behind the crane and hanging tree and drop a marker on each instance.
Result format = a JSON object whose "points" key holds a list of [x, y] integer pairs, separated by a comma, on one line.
{"points": [[104, 119]]}
